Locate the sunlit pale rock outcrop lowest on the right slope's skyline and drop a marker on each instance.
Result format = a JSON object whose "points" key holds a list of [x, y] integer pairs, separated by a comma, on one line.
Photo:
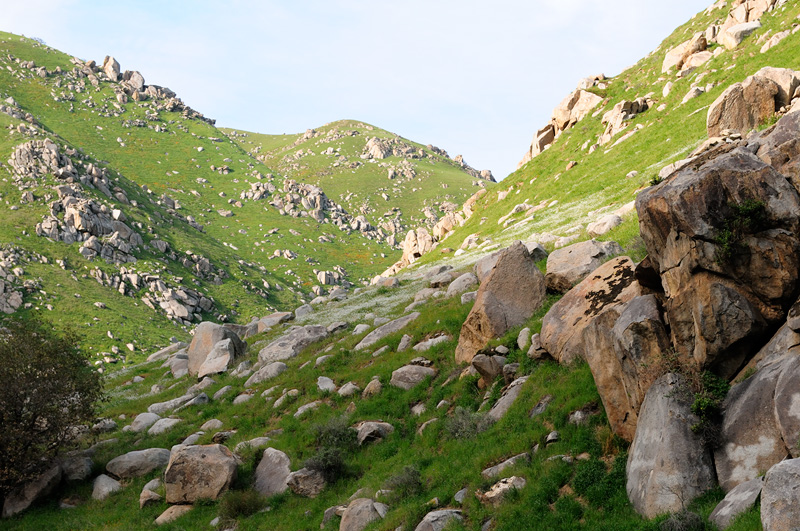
{"points": [[572, 109]]}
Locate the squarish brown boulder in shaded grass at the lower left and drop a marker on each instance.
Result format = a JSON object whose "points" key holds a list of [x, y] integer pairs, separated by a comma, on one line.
{"points": [[199, 472]]}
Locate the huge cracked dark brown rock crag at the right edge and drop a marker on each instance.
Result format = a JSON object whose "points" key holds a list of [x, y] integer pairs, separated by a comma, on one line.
{"points": [[722, 233]]}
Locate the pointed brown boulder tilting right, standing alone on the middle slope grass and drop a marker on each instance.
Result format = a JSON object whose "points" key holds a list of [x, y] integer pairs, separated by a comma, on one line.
{"points": [[511, 292]]}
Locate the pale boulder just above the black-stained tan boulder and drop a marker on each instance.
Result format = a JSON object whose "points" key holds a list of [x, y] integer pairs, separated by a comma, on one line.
{"points": [[569, 265]]}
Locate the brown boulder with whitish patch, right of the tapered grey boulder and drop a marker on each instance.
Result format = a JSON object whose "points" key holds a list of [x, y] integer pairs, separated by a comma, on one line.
{"points": [[751, 440]]}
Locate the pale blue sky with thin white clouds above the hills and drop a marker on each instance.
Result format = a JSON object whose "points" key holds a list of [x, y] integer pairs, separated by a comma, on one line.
{"points": [[475, 78]]}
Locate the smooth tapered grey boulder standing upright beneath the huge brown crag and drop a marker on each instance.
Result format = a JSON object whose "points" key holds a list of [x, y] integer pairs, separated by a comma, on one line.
{"points": [[668, 465]]}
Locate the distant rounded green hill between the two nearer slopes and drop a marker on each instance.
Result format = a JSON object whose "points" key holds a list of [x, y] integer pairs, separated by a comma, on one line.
{"points": [[395, 183]]}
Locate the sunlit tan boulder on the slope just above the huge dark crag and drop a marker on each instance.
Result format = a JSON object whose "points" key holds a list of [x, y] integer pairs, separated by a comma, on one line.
{"points": [[742, 106]]}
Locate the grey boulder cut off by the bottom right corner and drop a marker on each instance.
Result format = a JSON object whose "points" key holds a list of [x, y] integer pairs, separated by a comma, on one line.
{"points": [[780, 498]]}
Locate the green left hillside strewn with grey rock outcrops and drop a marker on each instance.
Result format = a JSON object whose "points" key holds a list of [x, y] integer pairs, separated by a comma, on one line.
{"points": [[191, 209]]}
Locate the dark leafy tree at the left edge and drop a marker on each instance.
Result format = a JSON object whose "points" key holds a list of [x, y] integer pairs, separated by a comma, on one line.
{"points": [[47, 390]]}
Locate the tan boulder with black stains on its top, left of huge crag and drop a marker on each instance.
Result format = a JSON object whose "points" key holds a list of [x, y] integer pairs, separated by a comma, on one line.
{"points": [[609, 285]]}
